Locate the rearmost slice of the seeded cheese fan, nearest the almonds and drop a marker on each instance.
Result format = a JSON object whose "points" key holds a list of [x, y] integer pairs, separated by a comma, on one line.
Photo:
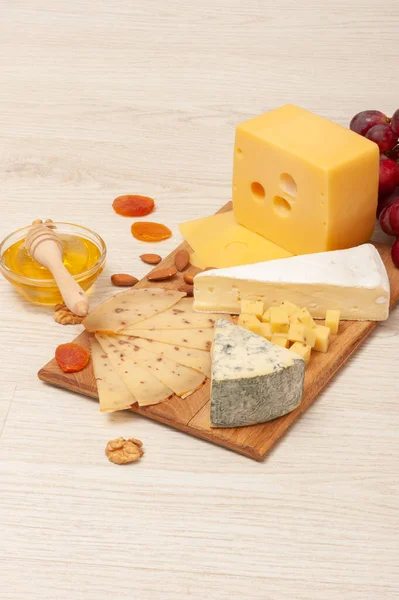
{"points": [[130, 307]]}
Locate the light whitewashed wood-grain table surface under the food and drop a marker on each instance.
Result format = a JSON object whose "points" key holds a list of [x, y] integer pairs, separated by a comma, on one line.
{"points": [[110, 97]]}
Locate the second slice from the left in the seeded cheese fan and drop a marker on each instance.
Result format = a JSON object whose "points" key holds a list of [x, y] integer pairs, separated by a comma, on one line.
{"points": [[146, 388]]}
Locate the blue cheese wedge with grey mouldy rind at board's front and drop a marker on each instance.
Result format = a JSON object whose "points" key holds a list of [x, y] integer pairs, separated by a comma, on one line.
{"points": [[253, 381]]}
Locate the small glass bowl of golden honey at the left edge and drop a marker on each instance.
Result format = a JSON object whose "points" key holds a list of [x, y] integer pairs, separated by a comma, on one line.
{"points": [[84, 254]]}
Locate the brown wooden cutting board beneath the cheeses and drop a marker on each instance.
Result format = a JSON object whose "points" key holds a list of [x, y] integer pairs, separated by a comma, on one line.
{"points": [[191, 415]]}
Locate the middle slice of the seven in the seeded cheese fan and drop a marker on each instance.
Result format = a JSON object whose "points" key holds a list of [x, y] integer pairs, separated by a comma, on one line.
{"points": [[200, 360]]}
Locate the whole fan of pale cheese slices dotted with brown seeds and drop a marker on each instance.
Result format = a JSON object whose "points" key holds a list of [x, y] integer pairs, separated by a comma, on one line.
{"points": [[148, 345]]}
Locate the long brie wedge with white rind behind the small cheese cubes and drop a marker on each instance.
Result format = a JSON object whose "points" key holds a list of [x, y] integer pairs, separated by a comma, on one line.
{"points": [[354, 281]]}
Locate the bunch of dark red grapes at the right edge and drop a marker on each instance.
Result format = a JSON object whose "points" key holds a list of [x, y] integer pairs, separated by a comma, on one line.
{"points": [[382, 130]]}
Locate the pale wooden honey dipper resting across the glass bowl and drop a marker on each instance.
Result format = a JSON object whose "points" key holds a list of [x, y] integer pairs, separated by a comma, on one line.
{"points": [[44, 245]]}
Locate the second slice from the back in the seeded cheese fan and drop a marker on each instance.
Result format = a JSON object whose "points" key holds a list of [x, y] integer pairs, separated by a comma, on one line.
{"points": [[179, 316]]}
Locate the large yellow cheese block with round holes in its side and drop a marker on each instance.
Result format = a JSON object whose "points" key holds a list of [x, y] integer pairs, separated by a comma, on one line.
{"points": [[296, 174]]}
